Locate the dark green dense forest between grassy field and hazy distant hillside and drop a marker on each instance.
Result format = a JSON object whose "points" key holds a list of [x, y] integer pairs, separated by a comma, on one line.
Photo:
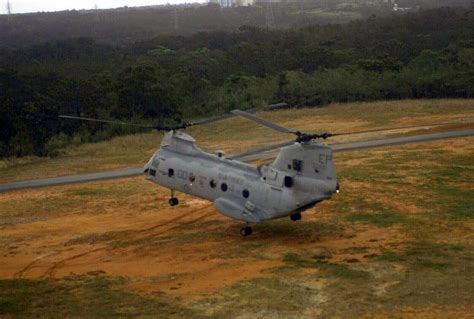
{"points": [[171, 78]]}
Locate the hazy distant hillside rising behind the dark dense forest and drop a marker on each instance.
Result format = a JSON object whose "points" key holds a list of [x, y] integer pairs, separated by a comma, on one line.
{"points": [[126, 25]]}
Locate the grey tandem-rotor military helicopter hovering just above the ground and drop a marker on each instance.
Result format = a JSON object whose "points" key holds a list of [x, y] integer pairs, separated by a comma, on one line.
{"points": [[302, 175]]}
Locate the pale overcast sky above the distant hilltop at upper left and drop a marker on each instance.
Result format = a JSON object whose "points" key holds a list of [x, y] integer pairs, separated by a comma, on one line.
{"points": [[22, 6]]}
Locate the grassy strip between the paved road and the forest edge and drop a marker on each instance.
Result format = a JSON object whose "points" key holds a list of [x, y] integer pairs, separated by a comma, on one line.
{"points": [[133, 151]]}
